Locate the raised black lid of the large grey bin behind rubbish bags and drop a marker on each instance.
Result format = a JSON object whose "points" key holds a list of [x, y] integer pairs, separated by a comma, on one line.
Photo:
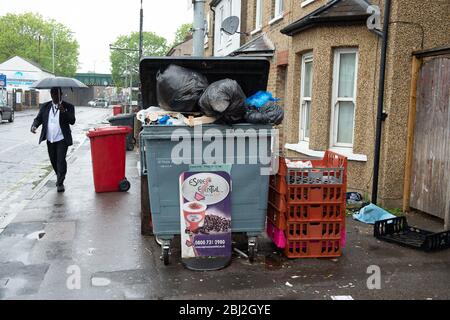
{"points": [[251, 73]]}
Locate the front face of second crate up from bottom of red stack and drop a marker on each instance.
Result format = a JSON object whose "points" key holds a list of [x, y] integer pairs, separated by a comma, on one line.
{"points": [[314, 230]]}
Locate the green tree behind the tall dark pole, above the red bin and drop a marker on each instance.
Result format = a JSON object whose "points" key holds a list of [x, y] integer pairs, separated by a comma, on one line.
{"points": [[124, 61]]}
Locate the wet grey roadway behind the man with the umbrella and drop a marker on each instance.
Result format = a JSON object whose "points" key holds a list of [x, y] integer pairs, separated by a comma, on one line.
{"points": [[24, 164]]}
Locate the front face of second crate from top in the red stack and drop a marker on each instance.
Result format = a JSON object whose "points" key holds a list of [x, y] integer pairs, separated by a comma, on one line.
{"points": [[318, 194]]}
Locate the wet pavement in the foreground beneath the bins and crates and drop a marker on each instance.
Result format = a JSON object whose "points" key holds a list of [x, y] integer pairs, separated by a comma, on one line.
{"points": [[83, 245]]}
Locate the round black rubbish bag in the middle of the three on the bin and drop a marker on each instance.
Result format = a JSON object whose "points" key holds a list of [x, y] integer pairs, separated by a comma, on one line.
{"points": [[224, 100]]}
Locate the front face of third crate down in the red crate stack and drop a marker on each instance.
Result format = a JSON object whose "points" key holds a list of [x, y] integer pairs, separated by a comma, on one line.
{"points": [[315, 212]]}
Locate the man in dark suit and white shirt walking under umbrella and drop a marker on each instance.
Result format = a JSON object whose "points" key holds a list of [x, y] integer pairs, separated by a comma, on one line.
{"points": [[56, 116]]}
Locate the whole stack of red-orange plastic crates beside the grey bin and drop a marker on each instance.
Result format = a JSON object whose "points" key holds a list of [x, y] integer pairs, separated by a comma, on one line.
{"points": [[306, 211]]}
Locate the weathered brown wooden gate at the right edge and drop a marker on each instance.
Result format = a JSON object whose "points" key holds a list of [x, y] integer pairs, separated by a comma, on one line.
{"points": [[430, 171]]}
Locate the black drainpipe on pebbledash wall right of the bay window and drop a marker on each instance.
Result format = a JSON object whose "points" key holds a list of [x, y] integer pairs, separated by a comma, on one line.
{"points": [[381, 116]]}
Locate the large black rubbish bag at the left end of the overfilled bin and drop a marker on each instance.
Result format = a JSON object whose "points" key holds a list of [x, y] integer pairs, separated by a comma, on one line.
{"points": [[179, 89]]}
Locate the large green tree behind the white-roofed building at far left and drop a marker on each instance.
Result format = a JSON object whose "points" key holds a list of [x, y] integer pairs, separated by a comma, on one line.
{"points": [[30, 36]]}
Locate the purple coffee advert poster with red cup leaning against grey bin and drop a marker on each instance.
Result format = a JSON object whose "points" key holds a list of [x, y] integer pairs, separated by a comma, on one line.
{"points": [[205, 214]]}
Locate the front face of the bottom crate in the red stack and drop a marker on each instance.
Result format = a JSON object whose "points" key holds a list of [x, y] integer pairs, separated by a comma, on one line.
{"points": [[313, 249]]}
